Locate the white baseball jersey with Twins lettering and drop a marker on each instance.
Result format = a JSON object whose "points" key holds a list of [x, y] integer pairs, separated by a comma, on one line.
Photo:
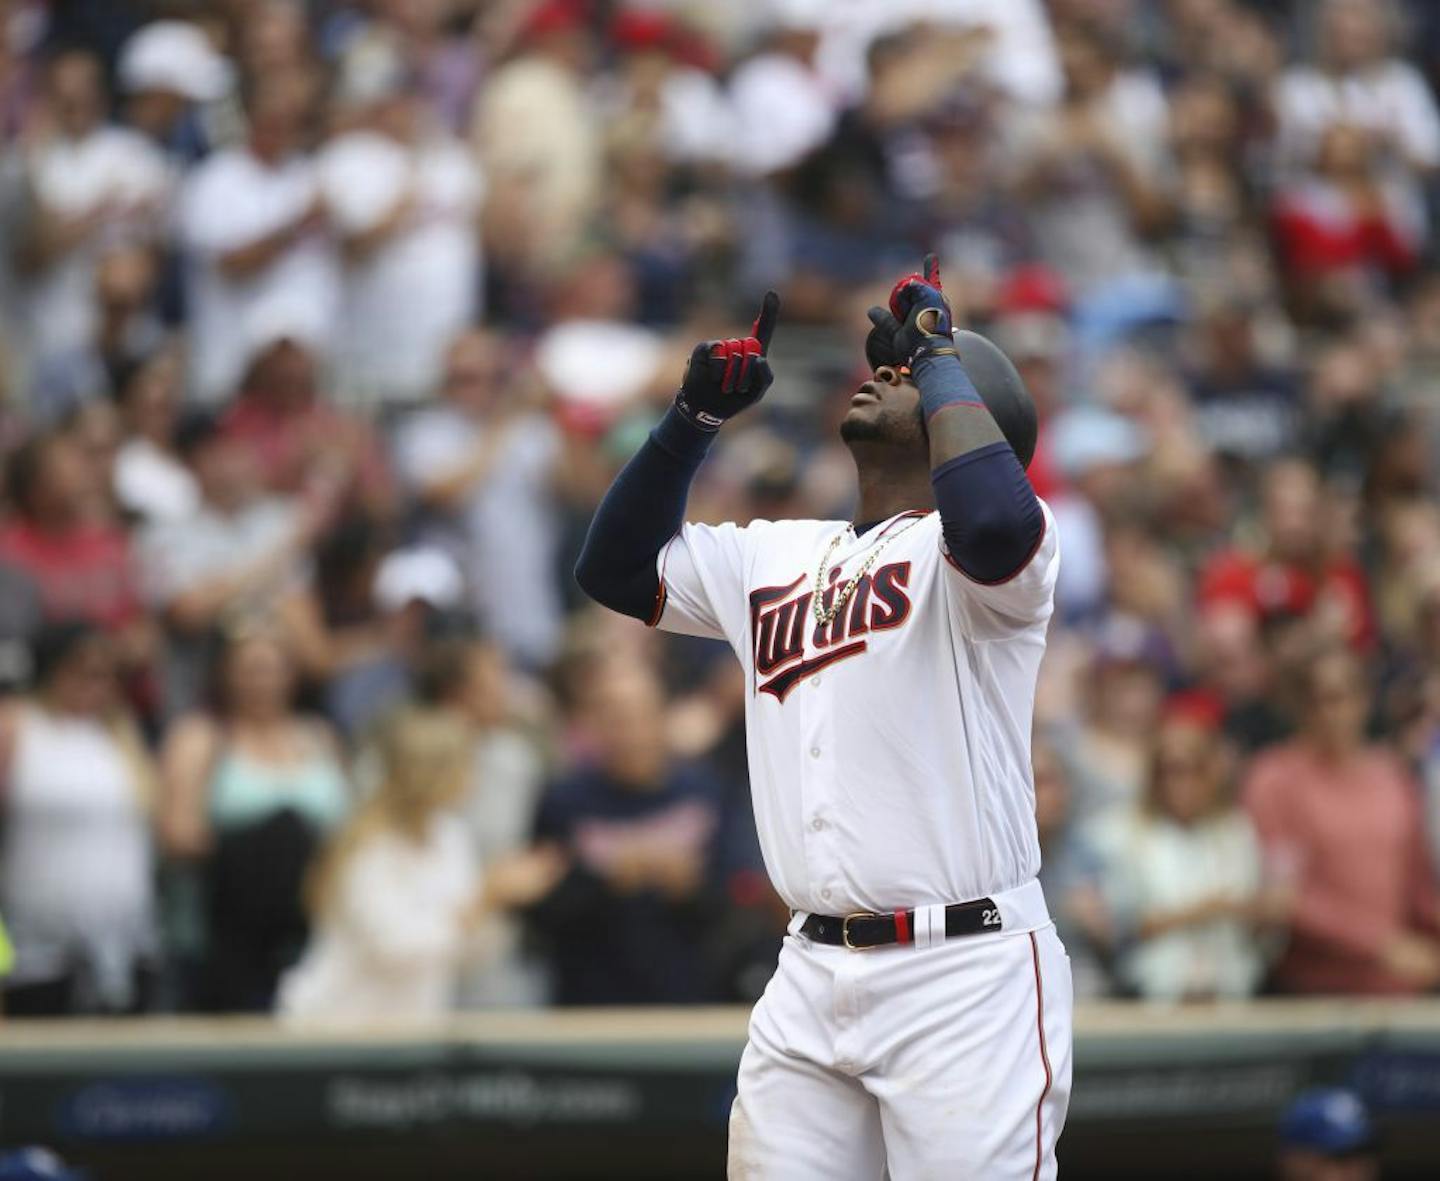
{"points": [[891, 750]]}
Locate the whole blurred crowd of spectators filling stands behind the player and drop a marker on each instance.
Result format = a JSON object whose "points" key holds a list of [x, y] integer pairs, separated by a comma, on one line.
{"points": [[325, 326]]}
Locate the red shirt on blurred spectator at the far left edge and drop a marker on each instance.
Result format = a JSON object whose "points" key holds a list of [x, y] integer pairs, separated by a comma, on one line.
{"points": [[83, 572]]}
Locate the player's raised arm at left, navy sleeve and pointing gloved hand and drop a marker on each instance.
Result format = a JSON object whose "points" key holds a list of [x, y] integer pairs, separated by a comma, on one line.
{"points": [[646, 506]]}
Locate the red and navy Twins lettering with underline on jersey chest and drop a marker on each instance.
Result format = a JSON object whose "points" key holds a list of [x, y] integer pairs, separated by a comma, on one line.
{"points": [[781, 617]]}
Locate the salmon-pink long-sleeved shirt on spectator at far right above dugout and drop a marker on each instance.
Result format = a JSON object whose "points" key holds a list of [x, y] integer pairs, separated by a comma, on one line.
{"points": [[1353, 835]]}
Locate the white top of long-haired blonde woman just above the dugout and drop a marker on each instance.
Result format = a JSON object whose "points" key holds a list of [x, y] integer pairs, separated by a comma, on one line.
{"points": [[395, 940]]}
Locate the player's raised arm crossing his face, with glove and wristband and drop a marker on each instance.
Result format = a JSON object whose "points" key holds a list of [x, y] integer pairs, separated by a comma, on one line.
{"points": [[991, 518]]}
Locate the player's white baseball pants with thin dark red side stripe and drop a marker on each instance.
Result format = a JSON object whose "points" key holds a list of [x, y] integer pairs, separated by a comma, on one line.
{"points": [[942, 1061]]}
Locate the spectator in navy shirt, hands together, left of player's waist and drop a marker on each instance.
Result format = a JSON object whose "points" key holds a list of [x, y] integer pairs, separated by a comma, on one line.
{"points": [[627, 922]]}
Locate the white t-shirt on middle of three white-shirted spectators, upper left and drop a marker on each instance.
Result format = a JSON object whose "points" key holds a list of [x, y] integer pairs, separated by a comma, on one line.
{"points": [[230, 202]]}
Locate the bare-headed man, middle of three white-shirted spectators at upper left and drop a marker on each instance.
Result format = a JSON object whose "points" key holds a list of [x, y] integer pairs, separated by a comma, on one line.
{"points": [[253, 231]]}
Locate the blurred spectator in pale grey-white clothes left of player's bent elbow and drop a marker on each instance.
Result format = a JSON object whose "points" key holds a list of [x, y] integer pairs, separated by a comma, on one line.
{"points": [[482, 467]]}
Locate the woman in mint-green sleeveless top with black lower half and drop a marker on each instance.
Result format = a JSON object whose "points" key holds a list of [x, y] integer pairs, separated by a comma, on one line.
{"points": [[250, 793]]}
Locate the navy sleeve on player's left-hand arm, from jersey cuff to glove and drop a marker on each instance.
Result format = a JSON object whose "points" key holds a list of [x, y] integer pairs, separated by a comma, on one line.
{"points": [[642, 512]]}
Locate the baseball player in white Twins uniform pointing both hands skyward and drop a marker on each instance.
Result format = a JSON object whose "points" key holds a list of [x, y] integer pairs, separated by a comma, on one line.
{"points": [[919, 1018]]}
